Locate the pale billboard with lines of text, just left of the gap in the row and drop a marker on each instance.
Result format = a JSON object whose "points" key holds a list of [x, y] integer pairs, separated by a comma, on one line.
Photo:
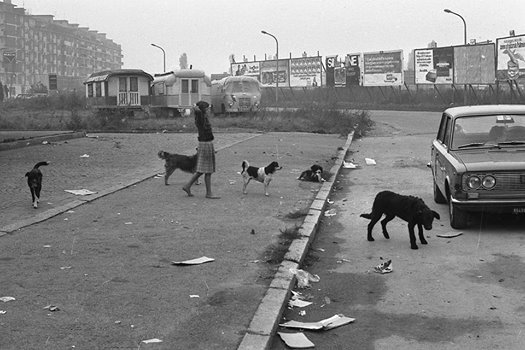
{"points": [[383, 68]]}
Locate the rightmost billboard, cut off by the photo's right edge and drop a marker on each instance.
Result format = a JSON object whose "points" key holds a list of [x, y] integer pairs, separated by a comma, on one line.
{"points": [[510, 55]]}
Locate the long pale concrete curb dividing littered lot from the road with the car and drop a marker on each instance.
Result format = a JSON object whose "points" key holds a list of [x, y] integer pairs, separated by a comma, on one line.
{"points": [[265, 321]]}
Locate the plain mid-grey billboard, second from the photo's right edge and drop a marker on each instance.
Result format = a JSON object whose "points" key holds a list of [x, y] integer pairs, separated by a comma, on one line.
{"points": [[474, 64]]}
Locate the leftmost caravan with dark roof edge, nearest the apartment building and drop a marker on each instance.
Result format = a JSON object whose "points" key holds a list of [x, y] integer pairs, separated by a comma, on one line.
{"points": [[118, 89]]}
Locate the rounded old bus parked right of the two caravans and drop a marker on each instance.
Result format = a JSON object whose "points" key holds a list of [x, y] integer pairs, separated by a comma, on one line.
{"points": [[235, 94]]}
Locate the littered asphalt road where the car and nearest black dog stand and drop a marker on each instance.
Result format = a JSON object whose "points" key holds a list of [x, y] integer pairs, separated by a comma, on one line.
{"points": [[466, 292]]}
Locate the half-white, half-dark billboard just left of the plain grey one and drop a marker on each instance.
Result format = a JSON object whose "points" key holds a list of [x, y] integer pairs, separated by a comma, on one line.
{"points": [[434, 66]]}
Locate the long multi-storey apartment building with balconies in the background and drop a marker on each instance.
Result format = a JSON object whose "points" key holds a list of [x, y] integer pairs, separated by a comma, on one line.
{"points": [[38, 50]]}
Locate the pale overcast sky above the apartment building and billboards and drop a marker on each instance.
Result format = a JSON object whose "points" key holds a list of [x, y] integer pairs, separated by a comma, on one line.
{"points": [[209, 31]]}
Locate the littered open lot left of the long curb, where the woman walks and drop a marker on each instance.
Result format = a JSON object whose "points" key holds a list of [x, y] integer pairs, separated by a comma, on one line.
{"points": [[100, 275]]}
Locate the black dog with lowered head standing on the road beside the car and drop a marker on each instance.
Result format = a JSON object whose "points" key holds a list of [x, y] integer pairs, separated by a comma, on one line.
{"points": [[409, 208]]}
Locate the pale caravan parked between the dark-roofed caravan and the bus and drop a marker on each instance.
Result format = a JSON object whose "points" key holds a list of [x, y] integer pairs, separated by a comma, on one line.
{"points": [[179, 90]]}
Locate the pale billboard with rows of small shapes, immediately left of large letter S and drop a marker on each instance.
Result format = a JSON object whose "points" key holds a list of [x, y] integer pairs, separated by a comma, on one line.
{"points": [[305, 72]]}
